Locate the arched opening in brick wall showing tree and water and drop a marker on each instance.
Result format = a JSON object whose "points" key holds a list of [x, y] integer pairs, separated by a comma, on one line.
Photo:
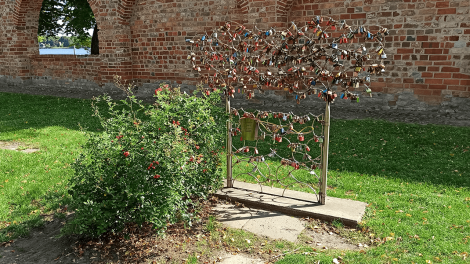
{"points": [[67, 27]]}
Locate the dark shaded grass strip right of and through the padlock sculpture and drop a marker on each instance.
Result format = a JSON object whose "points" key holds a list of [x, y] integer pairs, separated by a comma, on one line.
{"points": [[434, 154]]}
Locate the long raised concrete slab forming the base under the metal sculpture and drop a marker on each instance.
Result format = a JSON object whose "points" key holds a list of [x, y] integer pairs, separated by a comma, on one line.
{"points": [[295, 203]]}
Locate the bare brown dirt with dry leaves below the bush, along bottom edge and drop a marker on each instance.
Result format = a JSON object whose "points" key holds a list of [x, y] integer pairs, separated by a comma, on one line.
{"points": [[180, 244]]}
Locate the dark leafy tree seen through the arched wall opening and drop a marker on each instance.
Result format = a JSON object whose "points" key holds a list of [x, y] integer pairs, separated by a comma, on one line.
{"points": [[72, 17]]}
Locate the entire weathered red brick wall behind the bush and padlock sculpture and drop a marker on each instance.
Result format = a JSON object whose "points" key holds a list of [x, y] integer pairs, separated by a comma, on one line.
{"points": [[428, 64]]}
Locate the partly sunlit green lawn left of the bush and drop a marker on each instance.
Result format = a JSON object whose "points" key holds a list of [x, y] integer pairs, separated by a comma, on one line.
{"points": [[34, 184]]}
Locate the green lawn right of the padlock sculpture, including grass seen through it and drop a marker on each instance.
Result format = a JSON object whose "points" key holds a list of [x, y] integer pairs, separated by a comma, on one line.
{"points": [[415, 179]]}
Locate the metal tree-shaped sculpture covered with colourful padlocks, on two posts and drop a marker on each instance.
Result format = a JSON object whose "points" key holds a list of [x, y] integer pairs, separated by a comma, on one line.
{"points": [[305, 61]]}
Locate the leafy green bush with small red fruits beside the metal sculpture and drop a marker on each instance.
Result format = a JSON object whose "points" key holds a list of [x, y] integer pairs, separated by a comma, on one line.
{"points": [[148, 163]]}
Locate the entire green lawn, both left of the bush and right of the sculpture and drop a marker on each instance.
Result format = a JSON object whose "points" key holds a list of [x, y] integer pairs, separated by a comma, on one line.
{"points": [[415, 178]]}
